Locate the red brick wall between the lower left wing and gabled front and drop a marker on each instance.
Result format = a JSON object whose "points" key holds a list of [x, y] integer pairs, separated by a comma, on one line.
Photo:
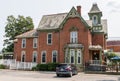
{"points": [[43, 46]]}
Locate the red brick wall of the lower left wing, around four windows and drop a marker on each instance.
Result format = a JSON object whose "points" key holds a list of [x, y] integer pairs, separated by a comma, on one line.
{"points": [[28, 50]]}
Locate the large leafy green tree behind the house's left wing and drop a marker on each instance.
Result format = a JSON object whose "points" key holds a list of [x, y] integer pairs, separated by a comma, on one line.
{"points": [[14, 27]]}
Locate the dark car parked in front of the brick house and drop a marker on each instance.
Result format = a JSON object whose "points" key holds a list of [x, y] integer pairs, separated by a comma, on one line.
{"points": [[66, 69]]}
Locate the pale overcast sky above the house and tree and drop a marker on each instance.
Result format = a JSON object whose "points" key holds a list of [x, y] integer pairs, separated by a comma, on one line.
{"points": [[37, 8]]}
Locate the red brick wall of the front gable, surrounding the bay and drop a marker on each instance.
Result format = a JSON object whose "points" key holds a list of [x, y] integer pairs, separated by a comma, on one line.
{"points": [[83, 36]]}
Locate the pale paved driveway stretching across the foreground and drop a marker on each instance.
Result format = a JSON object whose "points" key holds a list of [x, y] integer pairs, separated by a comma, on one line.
{"points": [[16, 75]]}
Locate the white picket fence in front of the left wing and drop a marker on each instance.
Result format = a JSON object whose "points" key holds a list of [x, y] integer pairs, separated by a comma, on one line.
{"points": [[13, 64]]}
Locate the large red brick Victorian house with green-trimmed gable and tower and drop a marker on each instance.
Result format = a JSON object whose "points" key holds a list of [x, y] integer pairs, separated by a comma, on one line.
{"points": [[64, 38]]}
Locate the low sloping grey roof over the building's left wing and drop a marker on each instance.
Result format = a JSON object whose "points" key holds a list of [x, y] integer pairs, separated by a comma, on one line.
{"points": [[31, 33]]}
